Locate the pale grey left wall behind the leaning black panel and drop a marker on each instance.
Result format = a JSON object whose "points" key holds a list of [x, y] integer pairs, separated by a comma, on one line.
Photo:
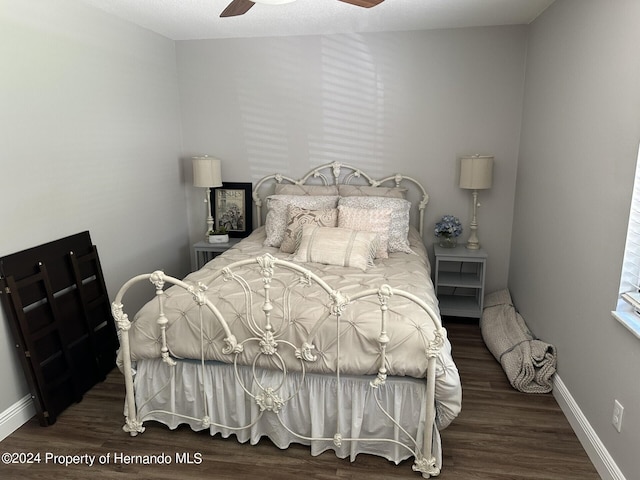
{"points": [[89, 140]]}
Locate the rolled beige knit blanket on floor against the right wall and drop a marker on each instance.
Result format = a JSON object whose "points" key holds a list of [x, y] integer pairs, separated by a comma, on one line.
{"points": [[528, 362]]}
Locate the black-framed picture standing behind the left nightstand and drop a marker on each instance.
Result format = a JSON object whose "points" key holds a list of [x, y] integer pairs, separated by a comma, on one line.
{"points": [[232, 208]]}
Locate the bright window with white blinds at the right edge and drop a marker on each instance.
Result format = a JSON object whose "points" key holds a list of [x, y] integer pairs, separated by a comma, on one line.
{"points": [[628, 308]]}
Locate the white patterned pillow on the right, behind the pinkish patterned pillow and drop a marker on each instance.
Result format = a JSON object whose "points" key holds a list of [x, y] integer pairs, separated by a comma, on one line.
{"points": [[399, 226]]}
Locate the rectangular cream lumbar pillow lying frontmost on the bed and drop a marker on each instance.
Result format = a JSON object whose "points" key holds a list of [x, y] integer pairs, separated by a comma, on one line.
{"points": [[336, 246]]}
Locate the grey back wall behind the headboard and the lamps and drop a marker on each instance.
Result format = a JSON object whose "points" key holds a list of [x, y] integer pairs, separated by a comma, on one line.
{"points": [[408, 102]]}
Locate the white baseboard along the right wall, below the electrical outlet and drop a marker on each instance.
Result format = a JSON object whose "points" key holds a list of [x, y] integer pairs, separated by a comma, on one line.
{"points": [[604, 463]]}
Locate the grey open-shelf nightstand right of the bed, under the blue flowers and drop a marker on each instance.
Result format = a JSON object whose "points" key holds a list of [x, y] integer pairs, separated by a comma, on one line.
{"points": [[459, 280]]}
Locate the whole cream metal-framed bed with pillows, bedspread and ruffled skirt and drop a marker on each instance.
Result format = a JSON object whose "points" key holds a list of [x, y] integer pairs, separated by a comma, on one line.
{"points": [[321, 327]]}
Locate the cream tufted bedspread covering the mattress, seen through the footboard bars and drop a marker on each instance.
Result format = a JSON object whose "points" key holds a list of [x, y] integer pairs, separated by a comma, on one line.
{"points": [[407, 328]]}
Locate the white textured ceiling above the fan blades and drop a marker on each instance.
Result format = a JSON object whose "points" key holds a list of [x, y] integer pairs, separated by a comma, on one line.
{"points": [[200, 19]]}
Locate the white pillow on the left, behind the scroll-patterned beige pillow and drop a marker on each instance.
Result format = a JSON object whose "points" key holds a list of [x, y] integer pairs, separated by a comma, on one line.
{"points": [[277, 205]]}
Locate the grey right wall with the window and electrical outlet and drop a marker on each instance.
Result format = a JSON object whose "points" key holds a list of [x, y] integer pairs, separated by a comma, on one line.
{"points": [[580, 135]]}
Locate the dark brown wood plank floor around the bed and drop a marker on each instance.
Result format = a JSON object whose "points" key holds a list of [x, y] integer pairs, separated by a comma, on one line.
{"points": [[500, 434]]}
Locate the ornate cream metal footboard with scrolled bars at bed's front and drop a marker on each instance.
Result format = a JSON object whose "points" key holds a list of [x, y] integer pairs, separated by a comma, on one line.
{"points": [[266, 342]]}
